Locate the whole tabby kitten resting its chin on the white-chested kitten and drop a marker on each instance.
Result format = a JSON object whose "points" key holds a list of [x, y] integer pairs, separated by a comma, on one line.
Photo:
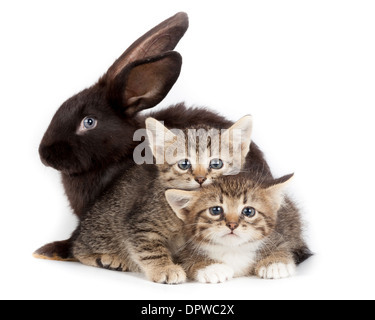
{"points": [[132, 227]]}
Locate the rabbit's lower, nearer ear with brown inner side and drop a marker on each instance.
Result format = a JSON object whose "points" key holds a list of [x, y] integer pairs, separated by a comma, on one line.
{"points": [[144, 83]]}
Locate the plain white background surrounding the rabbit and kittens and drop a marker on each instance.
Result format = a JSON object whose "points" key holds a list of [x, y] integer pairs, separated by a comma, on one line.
{"points": [[305, 70]]}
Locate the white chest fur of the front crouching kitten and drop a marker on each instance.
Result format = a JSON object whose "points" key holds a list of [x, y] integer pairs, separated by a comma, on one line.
{"points": [[240, 258]]}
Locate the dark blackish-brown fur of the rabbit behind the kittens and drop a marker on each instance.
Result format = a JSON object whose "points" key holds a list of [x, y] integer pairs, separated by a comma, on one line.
{"points": [[91, 162]]}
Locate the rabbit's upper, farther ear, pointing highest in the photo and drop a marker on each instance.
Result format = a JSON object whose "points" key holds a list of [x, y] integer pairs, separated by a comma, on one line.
{"points": [[164, 37]]}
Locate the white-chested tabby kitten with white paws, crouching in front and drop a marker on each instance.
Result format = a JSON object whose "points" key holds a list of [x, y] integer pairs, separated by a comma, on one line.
{"points": [[239, 227]]}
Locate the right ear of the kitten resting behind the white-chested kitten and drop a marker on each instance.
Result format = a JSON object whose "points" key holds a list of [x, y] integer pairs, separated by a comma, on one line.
{"points": [[231, 136]]}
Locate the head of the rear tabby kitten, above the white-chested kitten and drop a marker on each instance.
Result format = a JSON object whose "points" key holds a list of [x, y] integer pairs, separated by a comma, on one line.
{"points": [[195, 157]]}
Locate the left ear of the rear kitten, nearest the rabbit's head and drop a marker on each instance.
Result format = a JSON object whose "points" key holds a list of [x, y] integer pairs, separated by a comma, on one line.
{"points": [[158, 136]]}
